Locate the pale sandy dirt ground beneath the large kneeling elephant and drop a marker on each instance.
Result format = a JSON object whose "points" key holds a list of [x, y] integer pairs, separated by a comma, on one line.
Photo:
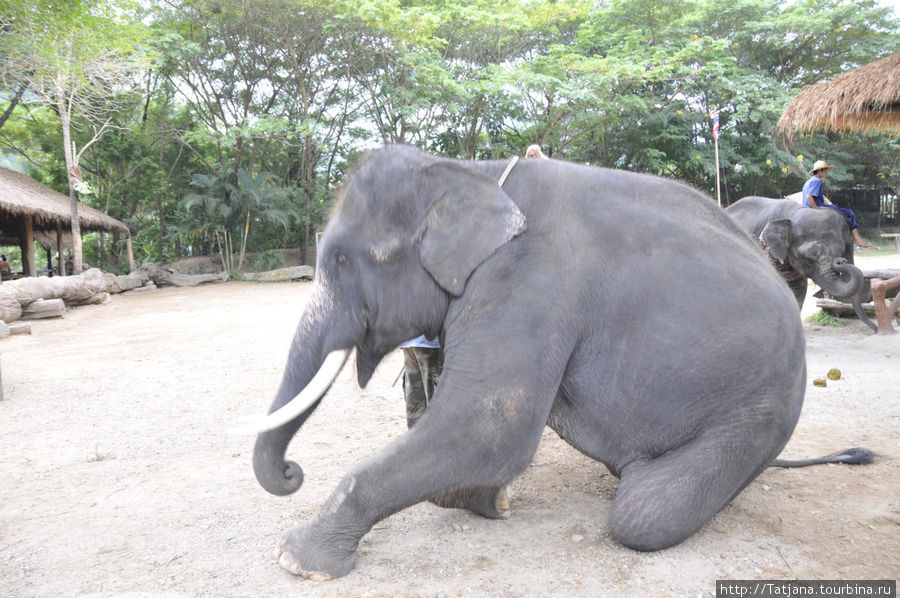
{"points": [[117, 477]]}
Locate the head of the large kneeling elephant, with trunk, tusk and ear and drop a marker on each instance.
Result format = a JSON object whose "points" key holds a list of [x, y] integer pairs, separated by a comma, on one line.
{"points": [[392, 258]]}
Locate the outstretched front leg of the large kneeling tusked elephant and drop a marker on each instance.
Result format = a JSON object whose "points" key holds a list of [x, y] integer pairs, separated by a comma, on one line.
{"points": [[458, 455]]}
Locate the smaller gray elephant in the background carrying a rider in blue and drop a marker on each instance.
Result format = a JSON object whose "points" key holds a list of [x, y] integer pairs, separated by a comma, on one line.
{"points": [[804, 243]]}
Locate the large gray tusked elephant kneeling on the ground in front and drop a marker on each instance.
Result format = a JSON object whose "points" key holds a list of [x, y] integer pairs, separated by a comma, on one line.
{"points": [[625, 311]]}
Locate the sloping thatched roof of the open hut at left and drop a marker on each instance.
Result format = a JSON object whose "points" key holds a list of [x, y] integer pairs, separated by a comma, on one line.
{"points": [[20, 194]]}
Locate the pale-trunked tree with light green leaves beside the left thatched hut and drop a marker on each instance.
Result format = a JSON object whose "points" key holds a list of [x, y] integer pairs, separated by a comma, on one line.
{"points": [[77, 58]]}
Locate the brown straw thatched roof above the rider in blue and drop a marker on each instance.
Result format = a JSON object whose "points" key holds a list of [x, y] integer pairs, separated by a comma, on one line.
{"points": [[864, 99]]}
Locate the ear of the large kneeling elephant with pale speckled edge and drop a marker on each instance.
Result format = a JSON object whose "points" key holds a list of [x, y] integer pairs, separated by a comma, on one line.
{"points": [[469, 219]]}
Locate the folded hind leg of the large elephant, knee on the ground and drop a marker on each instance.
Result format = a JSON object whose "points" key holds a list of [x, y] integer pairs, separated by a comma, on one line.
{"points": [[663, 501]]}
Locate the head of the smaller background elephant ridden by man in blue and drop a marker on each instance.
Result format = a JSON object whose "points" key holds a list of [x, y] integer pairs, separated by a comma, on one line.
{"points": [[818, 245]]}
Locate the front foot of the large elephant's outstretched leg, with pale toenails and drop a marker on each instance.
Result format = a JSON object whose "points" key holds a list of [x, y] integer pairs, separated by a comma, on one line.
{"points": [[304, 552]]}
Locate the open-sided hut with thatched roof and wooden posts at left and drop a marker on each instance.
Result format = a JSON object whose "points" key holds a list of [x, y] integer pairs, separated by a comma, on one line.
{"points": [[30, 210]]}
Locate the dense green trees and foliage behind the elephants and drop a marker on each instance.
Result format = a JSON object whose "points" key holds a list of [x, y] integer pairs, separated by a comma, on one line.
{"points": [[239, 119]]}
